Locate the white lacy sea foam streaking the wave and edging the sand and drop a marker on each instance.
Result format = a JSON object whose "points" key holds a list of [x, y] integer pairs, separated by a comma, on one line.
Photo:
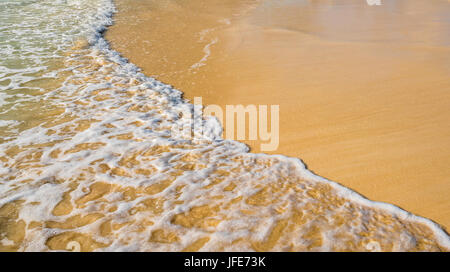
{"points": [[168, 104]]}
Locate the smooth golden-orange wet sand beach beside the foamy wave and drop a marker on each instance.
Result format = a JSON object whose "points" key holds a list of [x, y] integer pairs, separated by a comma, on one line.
{"points": [[364, 91]]}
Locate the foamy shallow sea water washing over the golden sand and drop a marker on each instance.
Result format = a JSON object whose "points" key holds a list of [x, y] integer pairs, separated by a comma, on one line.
{"points": [[89, 158]]}
